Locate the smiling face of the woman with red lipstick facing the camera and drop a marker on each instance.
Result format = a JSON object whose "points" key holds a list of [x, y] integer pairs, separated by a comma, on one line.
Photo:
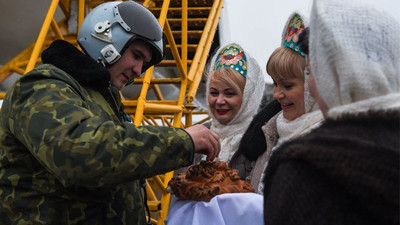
{"points": [[224, 101]]}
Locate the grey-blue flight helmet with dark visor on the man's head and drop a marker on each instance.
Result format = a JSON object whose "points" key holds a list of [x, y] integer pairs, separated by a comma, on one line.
{"points": [[110, 28]]}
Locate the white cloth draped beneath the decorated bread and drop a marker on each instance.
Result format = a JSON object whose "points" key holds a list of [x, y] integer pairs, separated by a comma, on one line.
{"points": [[225, 209]]}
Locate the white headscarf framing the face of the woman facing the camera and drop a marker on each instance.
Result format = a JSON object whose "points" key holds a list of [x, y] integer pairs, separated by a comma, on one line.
{"points": [[231, 133]]}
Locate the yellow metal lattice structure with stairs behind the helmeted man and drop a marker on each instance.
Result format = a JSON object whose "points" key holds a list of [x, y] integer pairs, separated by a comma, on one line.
{"points": [[189, 27]]}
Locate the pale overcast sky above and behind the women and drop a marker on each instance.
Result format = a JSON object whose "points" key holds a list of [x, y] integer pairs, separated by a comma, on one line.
{"points": [[257, 25]]}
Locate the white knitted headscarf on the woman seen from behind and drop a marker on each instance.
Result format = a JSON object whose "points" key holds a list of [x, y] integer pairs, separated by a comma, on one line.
{"points": [[355, 56]]}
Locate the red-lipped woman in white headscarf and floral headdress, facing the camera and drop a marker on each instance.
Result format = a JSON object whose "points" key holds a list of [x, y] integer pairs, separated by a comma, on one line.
{"points": [[235, 87]]}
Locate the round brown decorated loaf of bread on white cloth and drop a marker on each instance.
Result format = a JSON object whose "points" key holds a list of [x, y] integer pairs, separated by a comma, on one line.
{"points": [[205, 180]]}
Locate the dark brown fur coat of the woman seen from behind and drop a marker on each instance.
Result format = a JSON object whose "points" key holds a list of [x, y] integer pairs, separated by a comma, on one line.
{"points": [[344, 172]]}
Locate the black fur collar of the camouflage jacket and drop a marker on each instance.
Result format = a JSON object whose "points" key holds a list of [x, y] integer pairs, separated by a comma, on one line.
{"points": [[81, 67]]}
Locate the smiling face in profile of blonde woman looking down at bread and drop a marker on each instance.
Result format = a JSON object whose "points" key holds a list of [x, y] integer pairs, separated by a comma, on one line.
{"points": [[290, 94]]}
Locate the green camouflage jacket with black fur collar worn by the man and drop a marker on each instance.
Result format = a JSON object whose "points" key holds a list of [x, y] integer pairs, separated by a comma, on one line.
{"points": [[67, 156]]}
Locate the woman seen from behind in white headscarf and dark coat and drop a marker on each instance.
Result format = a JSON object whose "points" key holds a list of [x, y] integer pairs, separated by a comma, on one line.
{"points": [[347, 170]]}
